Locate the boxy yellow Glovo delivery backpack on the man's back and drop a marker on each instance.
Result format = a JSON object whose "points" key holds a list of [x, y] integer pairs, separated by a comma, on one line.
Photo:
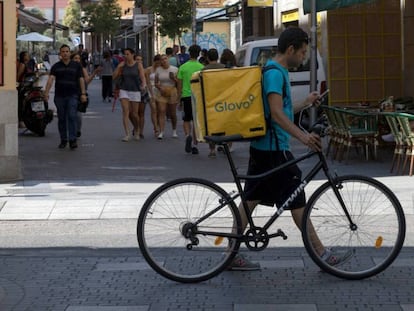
{"points": [[228, 102]]}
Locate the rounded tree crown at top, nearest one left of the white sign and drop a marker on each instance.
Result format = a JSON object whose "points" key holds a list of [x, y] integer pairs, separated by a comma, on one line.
{"points": [[103, 18]]}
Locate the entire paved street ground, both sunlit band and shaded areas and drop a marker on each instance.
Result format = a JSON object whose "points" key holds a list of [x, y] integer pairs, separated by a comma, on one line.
{"points": [[68, 231]]}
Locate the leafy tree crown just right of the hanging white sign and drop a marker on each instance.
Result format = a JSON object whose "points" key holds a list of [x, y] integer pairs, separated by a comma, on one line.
{"points": [[174, 16]]}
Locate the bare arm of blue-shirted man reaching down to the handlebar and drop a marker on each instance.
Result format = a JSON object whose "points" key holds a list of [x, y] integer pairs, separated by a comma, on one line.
{"points": [[276, 111]]}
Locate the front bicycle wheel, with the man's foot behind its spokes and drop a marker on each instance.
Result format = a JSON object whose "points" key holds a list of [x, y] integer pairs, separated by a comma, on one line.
{"points": [[367, 231]]}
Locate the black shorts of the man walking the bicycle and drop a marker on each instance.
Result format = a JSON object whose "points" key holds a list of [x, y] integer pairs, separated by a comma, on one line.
{"points": [[277, 188]]}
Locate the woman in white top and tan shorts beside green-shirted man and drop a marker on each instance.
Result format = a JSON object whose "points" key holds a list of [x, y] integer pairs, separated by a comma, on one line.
{"points": [[166, 95]]}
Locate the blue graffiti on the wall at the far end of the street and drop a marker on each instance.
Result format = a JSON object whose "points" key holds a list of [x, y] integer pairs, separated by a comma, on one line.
{"points": [[207, 40]]}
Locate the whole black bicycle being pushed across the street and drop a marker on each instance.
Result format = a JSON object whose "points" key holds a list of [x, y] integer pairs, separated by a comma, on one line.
{"points": [[194, 218]]}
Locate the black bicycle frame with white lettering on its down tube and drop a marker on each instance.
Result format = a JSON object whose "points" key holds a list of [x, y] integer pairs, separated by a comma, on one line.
{"points": [[320, 165]]}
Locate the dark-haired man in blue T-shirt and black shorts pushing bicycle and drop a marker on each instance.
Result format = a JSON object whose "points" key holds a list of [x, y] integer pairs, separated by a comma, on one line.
{"points": [[273, 149]]}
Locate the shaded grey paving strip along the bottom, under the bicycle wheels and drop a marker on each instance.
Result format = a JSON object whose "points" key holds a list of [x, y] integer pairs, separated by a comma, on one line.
{"points": [[82, 279]]}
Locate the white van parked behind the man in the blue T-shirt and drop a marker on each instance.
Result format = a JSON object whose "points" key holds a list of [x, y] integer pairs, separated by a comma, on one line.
{"points": [[259, 51]]}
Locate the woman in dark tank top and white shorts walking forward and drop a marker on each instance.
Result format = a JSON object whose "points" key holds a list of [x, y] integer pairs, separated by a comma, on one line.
{"points": [[132, 83]]}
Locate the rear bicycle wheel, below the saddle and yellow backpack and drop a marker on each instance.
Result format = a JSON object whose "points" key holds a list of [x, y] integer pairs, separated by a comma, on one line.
{"points": [[160, 230]]}
